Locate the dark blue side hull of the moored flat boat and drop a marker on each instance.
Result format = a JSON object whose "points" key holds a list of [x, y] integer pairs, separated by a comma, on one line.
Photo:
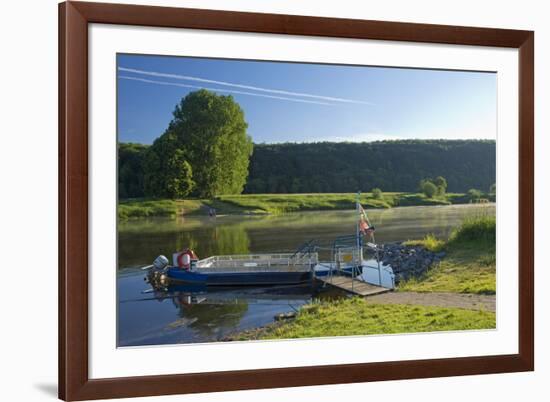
{"points": [[238, 278]]}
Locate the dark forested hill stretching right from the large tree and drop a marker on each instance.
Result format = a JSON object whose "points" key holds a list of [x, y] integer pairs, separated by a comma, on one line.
{"points": [[389, 165]]}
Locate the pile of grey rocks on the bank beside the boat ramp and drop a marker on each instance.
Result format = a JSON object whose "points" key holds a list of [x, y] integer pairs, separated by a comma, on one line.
{"points": [[409, 261]]}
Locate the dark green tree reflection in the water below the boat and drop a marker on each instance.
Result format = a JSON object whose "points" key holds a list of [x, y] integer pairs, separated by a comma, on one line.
{"points": [[211, 319]]}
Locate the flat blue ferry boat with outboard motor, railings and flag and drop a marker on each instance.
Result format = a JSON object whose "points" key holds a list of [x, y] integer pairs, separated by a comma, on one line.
{"points": [[278, 269]]}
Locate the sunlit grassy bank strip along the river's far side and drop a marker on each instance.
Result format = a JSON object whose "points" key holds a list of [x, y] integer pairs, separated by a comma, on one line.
{"points": [[277, 203]]}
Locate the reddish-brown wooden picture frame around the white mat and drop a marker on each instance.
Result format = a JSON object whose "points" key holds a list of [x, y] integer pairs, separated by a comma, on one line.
{"points": [[74, 17]]}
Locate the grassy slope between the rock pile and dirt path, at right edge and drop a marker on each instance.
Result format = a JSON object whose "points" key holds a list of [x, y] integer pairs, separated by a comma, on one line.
{"points": [[470, 262]]}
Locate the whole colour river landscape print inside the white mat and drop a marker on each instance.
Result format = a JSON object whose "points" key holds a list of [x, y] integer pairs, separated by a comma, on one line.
{"points": [[264, 200]]}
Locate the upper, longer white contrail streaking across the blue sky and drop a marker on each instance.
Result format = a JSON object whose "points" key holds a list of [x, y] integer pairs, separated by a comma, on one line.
{"points": [[249, 87]]}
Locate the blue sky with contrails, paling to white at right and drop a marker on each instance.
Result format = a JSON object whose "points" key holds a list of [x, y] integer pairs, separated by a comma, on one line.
{"points": [[295, 102]]}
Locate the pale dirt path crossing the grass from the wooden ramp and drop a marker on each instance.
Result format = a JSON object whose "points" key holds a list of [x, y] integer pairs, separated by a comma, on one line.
{"points": [[459, 300]]}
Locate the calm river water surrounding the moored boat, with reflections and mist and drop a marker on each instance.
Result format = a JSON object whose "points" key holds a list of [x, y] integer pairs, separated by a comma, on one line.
{"points": [[196, 315]]}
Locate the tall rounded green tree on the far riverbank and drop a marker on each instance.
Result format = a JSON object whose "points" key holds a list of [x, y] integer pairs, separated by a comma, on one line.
{"points": [[209, 133]]}
